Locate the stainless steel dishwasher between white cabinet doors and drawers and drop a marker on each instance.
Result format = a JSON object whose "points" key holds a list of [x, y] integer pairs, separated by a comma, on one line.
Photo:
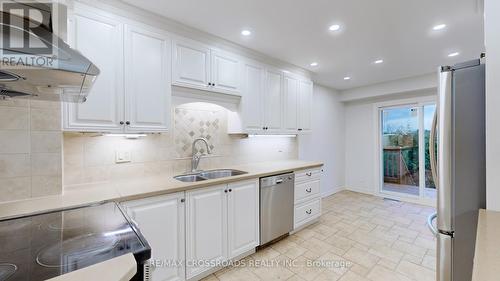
{"points": [[276, 206]]}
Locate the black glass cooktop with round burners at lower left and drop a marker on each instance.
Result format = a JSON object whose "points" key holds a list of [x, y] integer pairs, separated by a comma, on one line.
{"points": [[47, 245]]}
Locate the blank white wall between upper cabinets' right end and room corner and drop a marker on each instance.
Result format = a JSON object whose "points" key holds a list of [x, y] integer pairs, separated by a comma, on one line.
{"points": [[326, 142]]}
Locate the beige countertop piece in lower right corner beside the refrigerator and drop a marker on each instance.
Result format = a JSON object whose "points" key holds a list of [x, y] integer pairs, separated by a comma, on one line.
{"points": [[487, 253]]}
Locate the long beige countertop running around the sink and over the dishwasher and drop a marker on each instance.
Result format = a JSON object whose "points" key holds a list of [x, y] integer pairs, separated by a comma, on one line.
{"points": [[136, 188]]}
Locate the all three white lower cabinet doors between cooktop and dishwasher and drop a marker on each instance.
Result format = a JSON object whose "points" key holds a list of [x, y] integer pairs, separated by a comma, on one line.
{"points": [[194, 232]]}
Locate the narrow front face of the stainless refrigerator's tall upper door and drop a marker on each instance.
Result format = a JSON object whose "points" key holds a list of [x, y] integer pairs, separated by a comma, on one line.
{"points": [[445, 202]]}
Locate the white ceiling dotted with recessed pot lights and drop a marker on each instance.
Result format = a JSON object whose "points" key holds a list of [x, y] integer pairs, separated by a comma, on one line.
{"points": [[296, 31]]}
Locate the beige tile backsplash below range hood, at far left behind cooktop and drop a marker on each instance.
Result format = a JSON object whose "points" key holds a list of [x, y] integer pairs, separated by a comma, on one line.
{"points": [[30, 149]]}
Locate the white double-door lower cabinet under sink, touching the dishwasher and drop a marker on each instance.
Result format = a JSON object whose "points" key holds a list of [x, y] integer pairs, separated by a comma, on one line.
{"points": [[222, 222]]}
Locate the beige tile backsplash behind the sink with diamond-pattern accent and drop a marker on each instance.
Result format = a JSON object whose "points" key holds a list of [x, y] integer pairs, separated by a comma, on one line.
{"points": [[89, 158]]}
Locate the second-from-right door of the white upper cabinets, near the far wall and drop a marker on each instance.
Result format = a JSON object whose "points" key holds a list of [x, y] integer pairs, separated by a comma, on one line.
{"points": [[291, 97]]}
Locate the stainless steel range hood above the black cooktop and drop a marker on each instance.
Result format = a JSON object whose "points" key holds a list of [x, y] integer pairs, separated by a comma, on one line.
{"points": [[62, 74]]}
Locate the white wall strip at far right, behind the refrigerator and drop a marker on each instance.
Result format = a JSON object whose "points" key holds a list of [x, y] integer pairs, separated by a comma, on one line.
{"points": [[492, 42]]}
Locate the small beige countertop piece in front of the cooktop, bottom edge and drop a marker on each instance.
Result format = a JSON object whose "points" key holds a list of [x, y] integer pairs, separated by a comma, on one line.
{"points": [[121, 268]]}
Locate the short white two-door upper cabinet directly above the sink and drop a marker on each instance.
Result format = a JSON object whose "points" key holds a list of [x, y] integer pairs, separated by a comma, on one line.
{"points": [[198, 66]]}
